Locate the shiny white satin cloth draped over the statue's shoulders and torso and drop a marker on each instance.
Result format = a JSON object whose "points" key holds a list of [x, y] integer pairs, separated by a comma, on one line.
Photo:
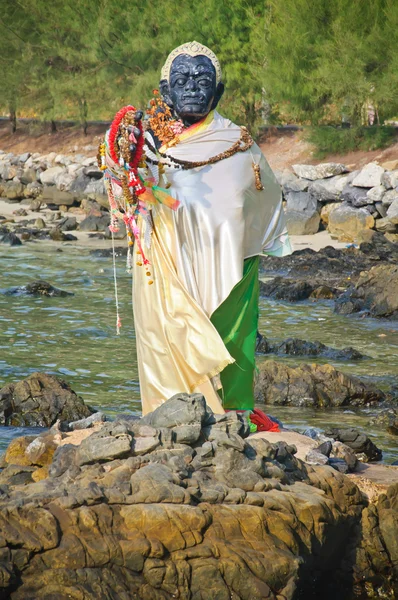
{"points": [[222, 218]]}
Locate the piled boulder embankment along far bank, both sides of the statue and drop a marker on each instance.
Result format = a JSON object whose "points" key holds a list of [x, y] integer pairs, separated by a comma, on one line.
{"points": [[350, 204]]}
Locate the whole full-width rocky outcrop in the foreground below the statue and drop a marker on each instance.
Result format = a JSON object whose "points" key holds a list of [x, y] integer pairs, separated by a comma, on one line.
{"points": [[184, 503]]}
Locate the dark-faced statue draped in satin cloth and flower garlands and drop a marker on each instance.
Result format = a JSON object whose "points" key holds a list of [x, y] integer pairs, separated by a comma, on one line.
{"points": [[200, 204]]}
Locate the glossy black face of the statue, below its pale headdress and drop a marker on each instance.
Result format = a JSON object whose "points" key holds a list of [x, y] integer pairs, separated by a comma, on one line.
{"points": [[192, 89]]}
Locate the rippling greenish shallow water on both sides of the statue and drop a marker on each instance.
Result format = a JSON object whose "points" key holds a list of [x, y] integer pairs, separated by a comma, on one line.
{"points": [[74, 337]]}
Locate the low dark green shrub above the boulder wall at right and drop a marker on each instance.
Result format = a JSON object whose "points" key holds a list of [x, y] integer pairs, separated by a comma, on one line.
{"points": [[333, 140]]}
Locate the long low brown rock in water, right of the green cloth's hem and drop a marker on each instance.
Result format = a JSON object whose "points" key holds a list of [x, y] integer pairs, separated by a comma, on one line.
{"points": [[312, 385]]}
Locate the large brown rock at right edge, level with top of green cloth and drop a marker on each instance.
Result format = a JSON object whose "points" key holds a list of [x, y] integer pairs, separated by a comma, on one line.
{"points": [[376, 292]]}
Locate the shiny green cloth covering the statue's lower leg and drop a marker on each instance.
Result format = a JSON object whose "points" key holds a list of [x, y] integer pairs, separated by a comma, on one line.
{"points": [[236, 321]]}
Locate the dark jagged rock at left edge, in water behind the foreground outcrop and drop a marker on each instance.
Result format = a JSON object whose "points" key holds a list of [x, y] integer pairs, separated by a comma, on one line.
{"points": [[40, 400]]}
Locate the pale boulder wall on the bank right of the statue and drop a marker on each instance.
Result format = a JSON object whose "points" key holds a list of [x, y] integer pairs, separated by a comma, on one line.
{"points": [[350, 205]]}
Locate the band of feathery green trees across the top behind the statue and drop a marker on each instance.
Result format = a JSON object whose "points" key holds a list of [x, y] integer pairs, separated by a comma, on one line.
{"points": [[312, 60]]}
